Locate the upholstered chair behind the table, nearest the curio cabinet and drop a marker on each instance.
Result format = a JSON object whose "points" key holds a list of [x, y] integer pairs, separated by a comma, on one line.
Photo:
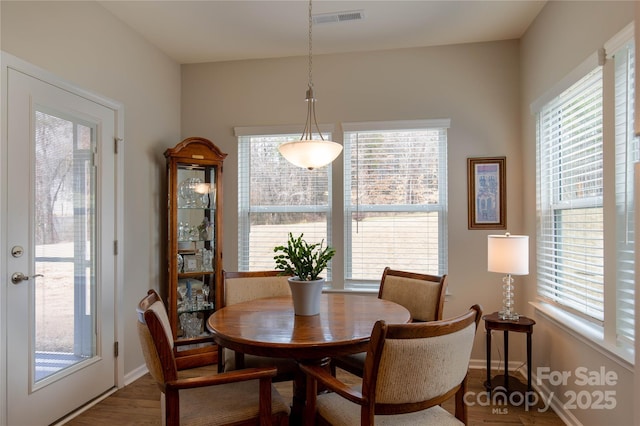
{"points": [[240, 287]]}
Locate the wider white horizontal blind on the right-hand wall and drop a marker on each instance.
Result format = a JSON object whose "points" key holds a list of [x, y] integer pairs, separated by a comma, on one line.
{"points": [[570, 193]]}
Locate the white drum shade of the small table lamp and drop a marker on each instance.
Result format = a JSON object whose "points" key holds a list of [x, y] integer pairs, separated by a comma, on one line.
{"points": [[508, 254]]}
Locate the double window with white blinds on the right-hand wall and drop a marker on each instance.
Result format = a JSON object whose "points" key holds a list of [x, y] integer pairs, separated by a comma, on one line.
{"points": [[582, 263]]}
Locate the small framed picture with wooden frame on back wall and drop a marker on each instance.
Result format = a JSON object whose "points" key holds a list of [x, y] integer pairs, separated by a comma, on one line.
{"points": [[487, 192]]}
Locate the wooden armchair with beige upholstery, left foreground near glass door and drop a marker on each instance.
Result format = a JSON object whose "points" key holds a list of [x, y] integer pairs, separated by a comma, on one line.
{"points": [[243, 397]]}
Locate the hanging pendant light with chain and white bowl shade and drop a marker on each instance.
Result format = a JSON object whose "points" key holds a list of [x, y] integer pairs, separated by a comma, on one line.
{"points": [[308, 152]]}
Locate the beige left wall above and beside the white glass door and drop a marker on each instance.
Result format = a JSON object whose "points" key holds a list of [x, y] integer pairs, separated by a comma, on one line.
{"points": [[82, 43]]}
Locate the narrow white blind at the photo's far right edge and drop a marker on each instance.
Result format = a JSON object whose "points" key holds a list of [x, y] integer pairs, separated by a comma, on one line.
{"points": [[627, 153]]}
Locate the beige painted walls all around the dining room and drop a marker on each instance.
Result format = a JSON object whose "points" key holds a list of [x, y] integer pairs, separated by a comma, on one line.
{"points": [[485, 89]]}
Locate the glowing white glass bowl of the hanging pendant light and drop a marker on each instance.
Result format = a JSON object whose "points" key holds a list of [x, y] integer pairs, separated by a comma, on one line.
{"points": [[310, 154]]}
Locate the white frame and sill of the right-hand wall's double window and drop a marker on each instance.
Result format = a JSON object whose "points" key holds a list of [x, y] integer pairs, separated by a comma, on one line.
{"points": [[604, 335]]}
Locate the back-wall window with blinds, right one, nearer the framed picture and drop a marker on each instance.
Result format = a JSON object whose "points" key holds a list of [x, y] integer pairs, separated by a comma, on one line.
{"points": [[395, 199]]}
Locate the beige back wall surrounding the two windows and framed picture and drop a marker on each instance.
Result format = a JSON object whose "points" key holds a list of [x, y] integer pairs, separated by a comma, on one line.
{"points": [[475, 85]]}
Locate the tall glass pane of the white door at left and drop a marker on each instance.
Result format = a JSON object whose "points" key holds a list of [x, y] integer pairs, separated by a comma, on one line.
{"points": [[64, 232]]}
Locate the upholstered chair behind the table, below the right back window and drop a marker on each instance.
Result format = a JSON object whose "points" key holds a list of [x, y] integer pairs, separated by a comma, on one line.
{"points": [[422, 294]]}
